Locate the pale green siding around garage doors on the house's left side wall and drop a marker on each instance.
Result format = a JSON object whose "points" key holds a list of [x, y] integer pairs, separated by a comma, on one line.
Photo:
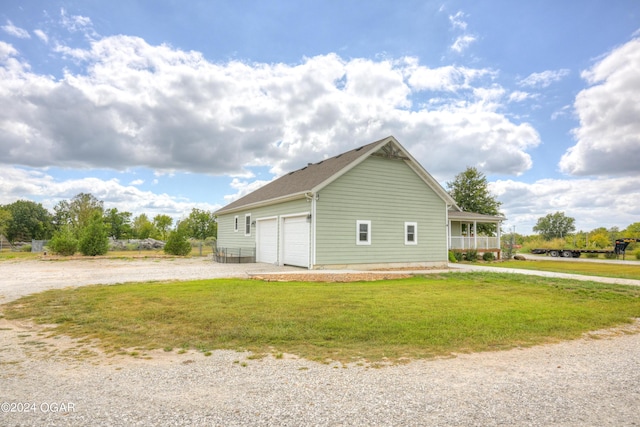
{"points": [[227, 238]]}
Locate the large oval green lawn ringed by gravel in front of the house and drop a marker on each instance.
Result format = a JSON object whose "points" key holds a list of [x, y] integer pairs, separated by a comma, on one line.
{"points": [[420, 317]]}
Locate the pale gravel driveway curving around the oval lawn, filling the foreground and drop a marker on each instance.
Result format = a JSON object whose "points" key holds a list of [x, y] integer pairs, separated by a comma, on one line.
{"points": [[57, 381]]}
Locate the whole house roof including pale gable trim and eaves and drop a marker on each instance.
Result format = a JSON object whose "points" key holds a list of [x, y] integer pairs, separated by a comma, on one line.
{"points": [[315, 176]]}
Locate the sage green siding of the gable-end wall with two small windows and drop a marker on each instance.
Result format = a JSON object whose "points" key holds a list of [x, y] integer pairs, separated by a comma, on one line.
{"points": [[388, 193]]}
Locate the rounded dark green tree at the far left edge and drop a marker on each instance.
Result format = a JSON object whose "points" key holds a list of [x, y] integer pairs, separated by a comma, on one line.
{"points": [[29, 220]]}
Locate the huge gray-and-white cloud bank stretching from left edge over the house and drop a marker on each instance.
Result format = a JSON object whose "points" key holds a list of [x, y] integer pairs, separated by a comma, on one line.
{"points": [[139, 105]]}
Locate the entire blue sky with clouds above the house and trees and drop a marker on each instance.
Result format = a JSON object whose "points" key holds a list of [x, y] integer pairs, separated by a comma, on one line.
{"points": [[165, 106]]}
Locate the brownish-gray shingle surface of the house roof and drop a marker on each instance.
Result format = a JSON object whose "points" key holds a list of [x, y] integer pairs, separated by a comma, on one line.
{"points": [[310, 177]]}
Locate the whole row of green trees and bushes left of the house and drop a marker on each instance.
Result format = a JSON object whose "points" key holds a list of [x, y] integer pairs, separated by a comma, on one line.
{"points": [[83, 222]]}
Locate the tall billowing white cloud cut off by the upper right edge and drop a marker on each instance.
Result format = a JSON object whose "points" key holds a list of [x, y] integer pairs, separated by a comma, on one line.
{"points": [[608, 138]]}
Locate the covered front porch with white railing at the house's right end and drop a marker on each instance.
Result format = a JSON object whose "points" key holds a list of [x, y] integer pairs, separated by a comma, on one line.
{"points": [[463, 234]]}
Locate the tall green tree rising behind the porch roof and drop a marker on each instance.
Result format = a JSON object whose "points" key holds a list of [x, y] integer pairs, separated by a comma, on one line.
{"points": [[470, 190]]}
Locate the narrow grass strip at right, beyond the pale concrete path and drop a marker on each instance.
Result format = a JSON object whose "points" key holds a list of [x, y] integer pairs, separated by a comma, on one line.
{"points": [[625, 271]]}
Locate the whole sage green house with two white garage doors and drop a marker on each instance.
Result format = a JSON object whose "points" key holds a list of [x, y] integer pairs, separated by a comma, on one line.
{"points": [[371, 207]]}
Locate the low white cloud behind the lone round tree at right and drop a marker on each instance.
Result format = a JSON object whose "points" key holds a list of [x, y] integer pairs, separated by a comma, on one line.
{"points": [[593, 202]]}
